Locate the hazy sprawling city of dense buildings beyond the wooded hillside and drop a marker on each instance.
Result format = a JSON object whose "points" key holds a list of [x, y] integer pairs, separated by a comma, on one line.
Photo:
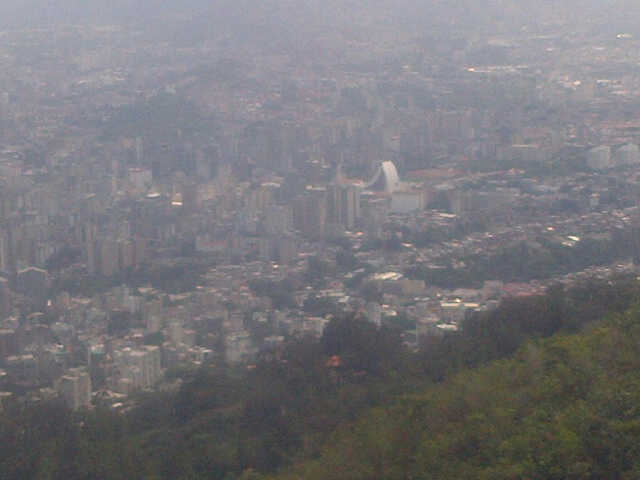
{"points": [[205, 193]]}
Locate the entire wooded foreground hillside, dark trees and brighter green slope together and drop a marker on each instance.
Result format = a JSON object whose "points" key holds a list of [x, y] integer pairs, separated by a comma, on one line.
{"points": [[504, 399]]}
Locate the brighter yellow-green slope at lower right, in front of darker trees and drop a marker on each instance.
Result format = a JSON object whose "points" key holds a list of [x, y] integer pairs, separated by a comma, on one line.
{"points": [[564, 408]]}
